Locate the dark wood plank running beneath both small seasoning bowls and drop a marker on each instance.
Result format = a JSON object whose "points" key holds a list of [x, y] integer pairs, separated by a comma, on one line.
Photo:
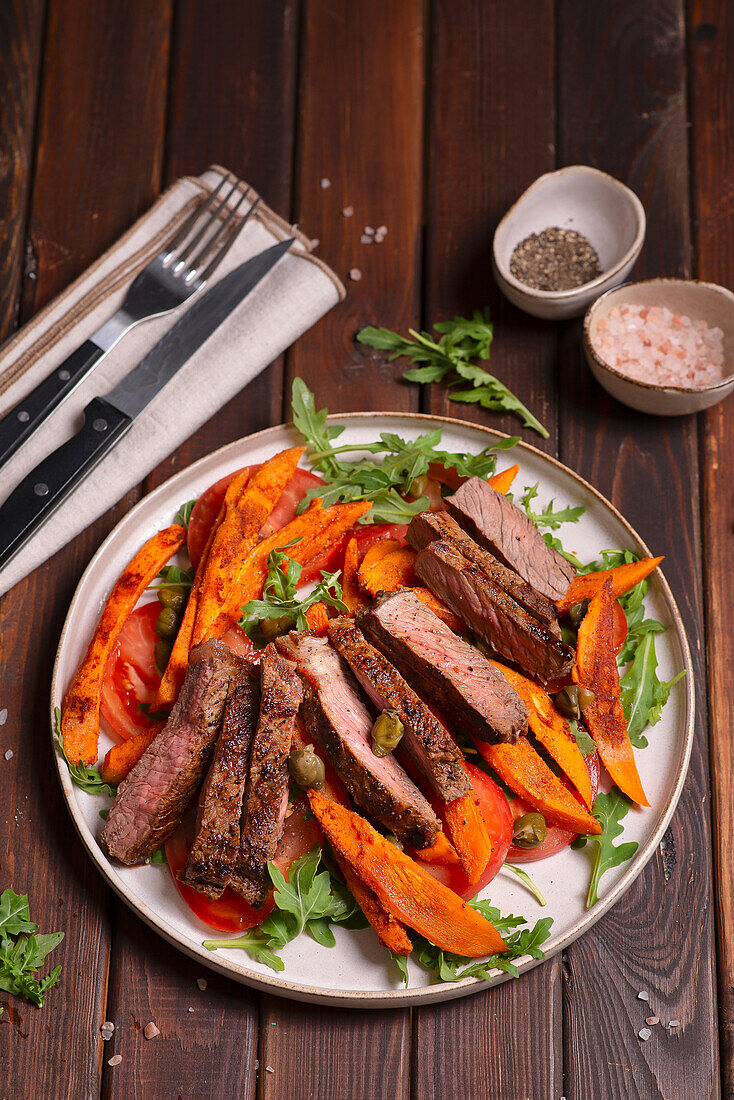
{"points": [[622, 107]]}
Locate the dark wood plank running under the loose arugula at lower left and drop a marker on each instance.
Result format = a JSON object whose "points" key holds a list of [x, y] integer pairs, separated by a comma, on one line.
{"points": [[95, 169]]}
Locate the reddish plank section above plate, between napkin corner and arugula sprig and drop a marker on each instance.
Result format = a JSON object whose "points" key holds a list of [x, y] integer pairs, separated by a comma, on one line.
{"points": [[361, 129]]}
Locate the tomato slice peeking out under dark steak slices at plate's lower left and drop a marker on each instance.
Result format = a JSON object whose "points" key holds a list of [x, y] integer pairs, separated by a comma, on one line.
{"points": [[231, 912]]}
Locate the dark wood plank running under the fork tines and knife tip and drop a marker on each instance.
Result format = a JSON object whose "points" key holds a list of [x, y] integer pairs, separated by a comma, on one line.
{"points": [[223, 56]]}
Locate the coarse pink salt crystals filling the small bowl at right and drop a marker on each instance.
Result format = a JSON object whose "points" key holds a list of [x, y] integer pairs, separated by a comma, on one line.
{"points": [[654, 345]]}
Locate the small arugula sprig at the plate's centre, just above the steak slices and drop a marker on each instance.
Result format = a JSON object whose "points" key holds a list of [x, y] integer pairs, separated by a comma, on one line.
{"points": [[281, 604]]}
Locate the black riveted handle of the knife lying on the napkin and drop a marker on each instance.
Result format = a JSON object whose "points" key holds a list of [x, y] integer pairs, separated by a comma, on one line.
{"points": [[46, 488]]}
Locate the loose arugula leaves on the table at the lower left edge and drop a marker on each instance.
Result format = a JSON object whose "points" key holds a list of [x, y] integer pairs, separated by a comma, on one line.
{"points": [[23, 953]]}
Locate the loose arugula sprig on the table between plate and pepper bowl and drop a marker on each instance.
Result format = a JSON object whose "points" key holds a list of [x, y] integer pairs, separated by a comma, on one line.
{"points": [[462, 340]]}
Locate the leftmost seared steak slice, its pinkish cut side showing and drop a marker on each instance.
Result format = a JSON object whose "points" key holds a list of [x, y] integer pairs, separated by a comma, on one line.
{"points": [[151, 800]]}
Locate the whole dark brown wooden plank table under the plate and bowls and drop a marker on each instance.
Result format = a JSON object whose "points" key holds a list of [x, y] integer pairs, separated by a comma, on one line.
{"points": [[431, 119]]}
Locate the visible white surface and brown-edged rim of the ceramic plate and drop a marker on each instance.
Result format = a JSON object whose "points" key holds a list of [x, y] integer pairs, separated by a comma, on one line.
{"points": [[358, 972]]}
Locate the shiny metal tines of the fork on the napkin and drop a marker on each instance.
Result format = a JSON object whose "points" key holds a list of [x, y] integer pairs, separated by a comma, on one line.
{"points": [[207, 236]]}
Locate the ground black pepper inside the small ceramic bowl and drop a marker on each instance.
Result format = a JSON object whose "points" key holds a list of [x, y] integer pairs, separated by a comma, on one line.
{"points": [[555, 260]]}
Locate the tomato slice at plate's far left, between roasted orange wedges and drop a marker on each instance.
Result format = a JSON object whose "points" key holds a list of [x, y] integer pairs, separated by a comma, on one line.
{"points": [[132, 678]]}
